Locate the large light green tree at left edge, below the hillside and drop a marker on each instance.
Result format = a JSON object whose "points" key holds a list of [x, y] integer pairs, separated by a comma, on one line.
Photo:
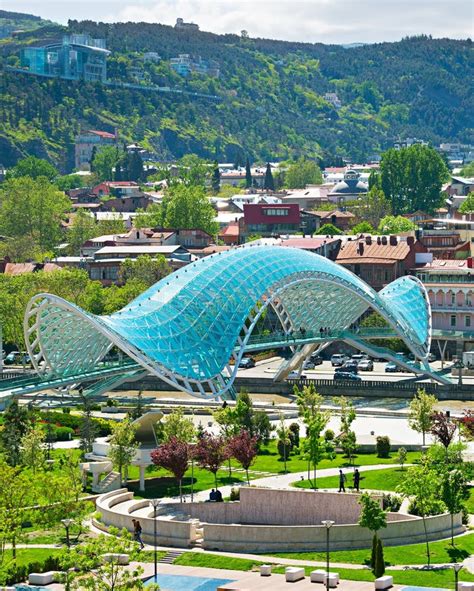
{"points": [[32, 209]]}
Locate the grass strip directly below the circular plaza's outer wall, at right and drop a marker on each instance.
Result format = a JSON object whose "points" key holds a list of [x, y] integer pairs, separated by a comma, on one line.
{"points": [[441, 553]]}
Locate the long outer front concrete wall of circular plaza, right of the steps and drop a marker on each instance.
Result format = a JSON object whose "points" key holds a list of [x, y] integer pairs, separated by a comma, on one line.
{"points": [[266, 539]]}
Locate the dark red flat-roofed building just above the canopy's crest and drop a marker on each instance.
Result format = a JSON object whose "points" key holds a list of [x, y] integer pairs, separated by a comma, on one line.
{"points": [[271, 220]]}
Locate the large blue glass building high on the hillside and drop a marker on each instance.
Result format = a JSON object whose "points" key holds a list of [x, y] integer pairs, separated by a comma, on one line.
{"points": [[75, 57]]}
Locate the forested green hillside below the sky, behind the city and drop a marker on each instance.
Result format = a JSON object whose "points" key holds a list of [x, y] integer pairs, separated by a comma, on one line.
{"points": [[272, 96]]}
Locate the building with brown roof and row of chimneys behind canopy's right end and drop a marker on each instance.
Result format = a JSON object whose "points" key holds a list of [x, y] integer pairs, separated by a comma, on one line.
{"points": [[380, 260]]}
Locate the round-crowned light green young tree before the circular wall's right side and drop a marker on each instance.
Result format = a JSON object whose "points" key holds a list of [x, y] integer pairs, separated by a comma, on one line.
{"points": [[422, 485]]}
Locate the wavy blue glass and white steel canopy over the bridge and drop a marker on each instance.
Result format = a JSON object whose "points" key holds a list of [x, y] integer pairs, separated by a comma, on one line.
{"points": [[186, 327]]}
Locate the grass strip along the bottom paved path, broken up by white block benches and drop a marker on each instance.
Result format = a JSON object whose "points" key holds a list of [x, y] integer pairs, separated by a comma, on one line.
{"points": [[439, 578]]}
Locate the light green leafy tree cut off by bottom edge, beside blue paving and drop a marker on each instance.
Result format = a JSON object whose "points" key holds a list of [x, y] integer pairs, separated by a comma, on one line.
{"points": [[85, 568]]}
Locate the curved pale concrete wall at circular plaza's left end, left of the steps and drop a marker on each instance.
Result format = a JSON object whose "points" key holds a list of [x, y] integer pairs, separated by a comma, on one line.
{"points": [[178, 534]]}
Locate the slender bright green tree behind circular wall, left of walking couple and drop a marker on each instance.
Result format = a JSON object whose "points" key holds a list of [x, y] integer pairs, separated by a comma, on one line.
{"points": [[315, 446]]}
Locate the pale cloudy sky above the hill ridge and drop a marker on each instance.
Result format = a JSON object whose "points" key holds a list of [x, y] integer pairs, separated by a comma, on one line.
{"points": [[326, 21]]}
